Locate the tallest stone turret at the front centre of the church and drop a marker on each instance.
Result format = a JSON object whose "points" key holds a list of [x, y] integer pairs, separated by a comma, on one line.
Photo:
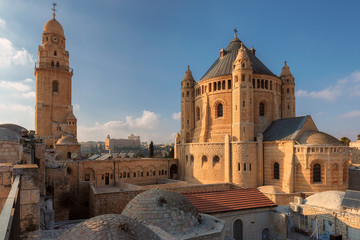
{"points": [[242, 97]]}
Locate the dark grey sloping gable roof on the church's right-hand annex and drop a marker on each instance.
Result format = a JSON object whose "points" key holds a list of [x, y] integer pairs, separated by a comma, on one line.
{"points": [[284, 129]]}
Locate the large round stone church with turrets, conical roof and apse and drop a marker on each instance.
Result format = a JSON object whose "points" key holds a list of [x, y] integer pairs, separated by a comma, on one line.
{"points": [[238, 125]]}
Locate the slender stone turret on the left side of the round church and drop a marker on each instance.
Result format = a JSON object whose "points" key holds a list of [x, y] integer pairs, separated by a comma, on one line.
{"points": [[187, 106]]}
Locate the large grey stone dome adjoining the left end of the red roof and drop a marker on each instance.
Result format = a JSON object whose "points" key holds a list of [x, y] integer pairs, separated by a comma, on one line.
{"points": [[168, 210]]}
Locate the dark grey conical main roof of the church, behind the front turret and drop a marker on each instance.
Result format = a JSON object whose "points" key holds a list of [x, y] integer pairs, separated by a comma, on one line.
{"points": [[223, 65]]}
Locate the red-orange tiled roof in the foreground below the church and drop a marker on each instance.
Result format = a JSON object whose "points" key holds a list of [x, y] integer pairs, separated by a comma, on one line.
{"points": [[228, 200]]}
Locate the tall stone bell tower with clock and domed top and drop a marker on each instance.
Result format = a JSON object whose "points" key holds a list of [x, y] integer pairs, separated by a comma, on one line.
{"points": [[54, 116]]}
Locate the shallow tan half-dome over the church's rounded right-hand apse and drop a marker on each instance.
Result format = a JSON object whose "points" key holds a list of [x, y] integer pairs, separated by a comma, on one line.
{"points": [[318, 138]]}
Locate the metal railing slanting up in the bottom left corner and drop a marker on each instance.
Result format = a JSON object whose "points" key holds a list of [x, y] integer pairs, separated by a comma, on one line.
{"points": [[10, 215]]}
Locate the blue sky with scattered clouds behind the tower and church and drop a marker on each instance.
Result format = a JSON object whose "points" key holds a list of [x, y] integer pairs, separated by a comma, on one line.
{"points": [[129, 58]]}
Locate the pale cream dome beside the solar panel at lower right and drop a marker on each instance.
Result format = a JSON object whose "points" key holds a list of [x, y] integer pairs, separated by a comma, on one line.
{"points": [[327, 199]]}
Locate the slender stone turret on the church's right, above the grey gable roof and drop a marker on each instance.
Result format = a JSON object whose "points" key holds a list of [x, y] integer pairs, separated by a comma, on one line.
{"points": [[288, 93]]}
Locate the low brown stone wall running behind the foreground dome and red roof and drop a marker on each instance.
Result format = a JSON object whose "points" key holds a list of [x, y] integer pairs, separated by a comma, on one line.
{"points": [[114, 200]]}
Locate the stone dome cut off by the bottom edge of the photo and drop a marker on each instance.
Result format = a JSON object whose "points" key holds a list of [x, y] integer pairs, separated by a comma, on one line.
{"points": [[109, 226]]}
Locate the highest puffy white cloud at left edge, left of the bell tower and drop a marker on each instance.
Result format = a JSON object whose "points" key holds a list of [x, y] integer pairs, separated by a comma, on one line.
{"points": [[10, 55]]}
